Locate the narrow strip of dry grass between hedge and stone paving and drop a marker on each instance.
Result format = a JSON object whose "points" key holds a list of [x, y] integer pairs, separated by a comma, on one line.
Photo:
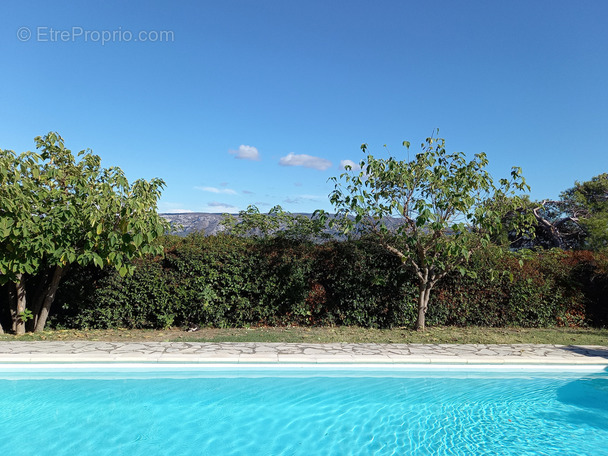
{"points": [[435, 335]]}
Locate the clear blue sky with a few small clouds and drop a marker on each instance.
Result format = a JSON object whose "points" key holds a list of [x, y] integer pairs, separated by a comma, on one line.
{"points": [[258, 102]]}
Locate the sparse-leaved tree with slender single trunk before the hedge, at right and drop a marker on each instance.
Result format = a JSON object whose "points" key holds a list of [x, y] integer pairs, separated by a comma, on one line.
{"points": [[447, 208]]}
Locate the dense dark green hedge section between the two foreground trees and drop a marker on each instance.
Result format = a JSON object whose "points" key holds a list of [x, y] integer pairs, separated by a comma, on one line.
{"points": [[226, 281]]}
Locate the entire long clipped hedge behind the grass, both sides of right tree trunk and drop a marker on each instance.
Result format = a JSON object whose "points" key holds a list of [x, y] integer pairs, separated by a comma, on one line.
{"points": [[227, 281]]}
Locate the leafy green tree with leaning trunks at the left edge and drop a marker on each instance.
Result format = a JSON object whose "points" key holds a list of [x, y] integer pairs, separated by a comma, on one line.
{"points": [[56, 211]]}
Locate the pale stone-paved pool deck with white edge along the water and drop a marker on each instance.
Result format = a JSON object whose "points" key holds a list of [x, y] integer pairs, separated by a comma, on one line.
{"points": [[335, 353]]}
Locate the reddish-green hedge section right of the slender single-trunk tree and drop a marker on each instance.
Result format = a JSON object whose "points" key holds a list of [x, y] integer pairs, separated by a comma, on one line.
{"points": [[542, 292]]}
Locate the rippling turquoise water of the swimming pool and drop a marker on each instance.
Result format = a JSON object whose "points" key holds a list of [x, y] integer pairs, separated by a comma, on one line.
{"points": [[309, 413]]}
